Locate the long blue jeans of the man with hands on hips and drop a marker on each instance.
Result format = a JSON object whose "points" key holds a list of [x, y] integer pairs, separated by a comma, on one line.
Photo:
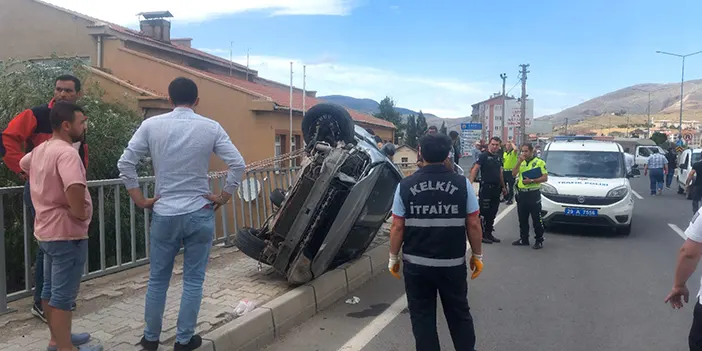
{"points": [[195, 232]]}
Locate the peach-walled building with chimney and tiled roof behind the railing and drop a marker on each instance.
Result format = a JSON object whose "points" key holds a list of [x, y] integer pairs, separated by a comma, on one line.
{"points": [[139, 65]]}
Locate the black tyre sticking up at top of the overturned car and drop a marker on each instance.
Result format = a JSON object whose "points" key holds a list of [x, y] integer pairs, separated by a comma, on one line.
{"points": [[330, 123]]}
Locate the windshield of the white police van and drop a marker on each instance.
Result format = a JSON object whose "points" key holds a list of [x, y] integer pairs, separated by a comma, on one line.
{"points": [[585, 164]]}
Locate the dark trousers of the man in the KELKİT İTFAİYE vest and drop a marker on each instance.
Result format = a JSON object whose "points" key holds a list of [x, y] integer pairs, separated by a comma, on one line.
{"points": [[421, 284]]}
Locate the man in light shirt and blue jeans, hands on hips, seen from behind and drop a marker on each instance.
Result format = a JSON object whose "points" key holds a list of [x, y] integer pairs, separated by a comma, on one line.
{"points": [[180, 143]]}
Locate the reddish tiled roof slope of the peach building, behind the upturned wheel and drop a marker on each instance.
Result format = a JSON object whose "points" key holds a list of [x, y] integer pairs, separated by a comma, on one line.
{"points": [[282, 98]]}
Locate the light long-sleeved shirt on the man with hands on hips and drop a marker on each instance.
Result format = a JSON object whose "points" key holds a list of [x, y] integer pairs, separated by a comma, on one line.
{"points": [[180, 144]]}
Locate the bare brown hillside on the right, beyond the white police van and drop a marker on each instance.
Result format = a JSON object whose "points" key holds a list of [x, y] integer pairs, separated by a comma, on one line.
{"points": [[665, 98]]}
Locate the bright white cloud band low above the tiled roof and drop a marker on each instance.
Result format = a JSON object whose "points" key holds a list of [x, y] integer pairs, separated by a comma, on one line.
{"points": [[444, 97]]}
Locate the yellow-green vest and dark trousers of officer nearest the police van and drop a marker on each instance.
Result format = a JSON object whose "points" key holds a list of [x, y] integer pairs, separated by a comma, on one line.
{"points": [[529, 203]]}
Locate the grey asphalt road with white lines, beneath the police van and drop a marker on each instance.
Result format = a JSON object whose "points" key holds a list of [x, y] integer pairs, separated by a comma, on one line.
{"points": [[586, 290]]}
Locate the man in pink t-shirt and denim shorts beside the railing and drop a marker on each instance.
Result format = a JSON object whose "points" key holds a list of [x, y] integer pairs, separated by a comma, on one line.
{"points": [[60, 196]]}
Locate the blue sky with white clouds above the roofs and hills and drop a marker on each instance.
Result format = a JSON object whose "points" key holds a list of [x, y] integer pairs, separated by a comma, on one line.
{"points": [[440, 56]]}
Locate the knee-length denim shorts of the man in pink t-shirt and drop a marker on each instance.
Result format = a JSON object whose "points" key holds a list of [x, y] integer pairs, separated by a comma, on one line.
{"points": [[64, 262]]}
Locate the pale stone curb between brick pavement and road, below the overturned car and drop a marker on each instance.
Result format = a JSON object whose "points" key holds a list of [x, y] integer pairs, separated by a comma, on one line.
{"points": [[256, 329]]}
